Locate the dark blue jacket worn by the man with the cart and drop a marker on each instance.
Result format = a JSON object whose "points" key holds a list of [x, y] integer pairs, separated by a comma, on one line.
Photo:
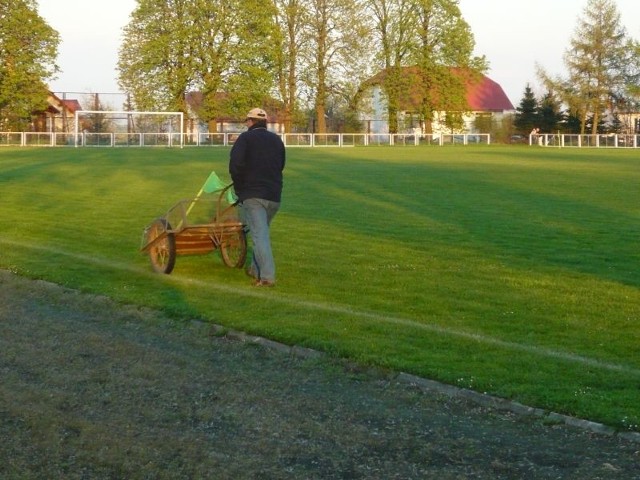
{"points": [[256, 164]]}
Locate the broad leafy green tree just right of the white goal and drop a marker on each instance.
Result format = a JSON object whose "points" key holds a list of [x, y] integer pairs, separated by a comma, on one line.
{"points": [[173, 46]]}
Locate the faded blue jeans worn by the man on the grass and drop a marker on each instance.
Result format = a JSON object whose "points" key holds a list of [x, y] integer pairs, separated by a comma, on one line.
{"points": [[257, 214]]}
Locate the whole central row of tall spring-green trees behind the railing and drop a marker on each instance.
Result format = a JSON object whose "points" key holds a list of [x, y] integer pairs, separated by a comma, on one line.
{"points": [[307, 53]]}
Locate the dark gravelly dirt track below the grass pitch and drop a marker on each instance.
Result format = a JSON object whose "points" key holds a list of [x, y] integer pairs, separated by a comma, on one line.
{"points": [[91, 389]]}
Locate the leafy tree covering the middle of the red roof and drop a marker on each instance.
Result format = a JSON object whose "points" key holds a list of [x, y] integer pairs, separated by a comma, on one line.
{"points": [[443, 51]]}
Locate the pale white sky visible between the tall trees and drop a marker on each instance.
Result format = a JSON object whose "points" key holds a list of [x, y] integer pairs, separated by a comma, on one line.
{"points": [[514, 35]]}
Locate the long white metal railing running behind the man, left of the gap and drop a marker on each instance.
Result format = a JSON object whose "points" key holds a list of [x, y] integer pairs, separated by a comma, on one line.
{"points": [[84, 139]]}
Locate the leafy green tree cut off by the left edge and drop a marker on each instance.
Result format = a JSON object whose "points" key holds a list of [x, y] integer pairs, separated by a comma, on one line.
{"points": [[28, 51]]}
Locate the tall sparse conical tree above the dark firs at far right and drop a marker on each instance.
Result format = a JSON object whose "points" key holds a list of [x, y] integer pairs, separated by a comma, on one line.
{"points": [[596, 63]]}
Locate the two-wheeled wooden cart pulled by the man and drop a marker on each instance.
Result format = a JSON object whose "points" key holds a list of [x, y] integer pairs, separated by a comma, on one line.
{"points": [[198, 226]]}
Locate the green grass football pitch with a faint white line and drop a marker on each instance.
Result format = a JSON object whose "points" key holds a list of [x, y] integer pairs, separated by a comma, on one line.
{"points": [[511, 271]]}
